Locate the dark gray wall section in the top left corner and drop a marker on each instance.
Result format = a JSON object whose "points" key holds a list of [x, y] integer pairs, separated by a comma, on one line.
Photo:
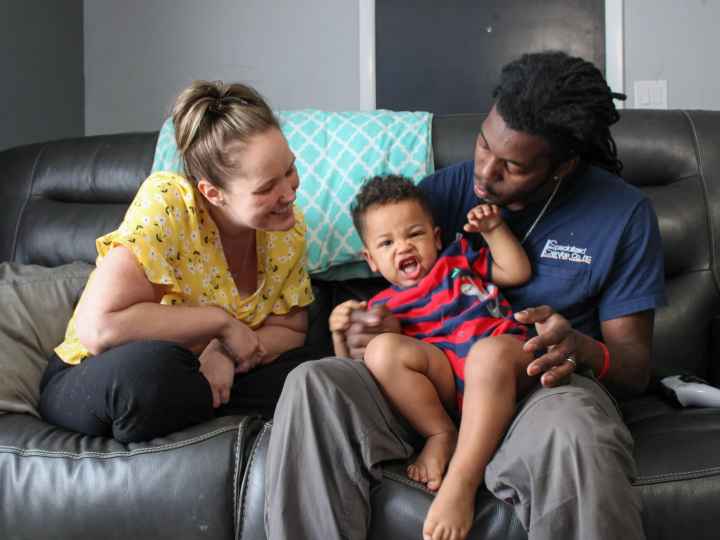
{"points": [[41, 62]]}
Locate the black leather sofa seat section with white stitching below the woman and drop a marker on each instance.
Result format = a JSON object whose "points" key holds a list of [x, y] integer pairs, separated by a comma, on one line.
{"points": [[185, 485]]}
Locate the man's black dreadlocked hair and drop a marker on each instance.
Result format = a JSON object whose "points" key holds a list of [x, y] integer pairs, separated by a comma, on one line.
{"points": [[566, 101]]}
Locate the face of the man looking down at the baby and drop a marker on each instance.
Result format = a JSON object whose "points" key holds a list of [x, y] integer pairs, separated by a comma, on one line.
{"points": [[510, 166]]}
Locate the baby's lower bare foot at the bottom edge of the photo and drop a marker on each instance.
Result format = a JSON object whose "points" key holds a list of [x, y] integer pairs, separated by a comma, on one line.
{"points": [[451, 513]]}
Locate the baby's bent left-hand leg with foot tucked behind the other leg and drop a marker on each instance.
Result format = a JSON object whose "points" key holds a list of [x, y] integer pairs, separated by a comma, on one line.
{"points": [[417, 379]]}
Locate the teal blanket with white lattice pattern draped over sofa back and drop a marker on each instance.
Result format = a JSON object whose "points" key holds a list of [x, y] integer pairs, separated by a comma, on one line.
{"points": [[335, 152]]}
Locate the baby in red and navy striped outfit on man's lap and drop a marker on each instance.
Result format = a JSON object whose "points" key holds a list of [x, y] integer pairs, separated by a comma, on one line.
{"points": [[460, 349]]}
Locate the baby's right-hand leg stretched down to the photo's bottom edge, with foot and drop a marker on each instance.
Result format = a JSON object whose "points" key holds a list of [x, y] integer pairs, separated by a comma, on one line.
{"points": [[494, 377]]}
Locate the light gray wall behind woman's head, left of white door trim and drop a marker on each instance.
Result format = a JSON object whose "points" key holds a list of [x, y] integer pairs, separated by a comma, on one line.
{"points": [[139, 54]]}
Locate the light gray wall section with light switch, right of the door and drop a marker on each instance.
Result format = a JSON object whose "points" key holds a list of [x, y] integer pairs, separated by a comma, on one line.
{"points": [[678, 41]]}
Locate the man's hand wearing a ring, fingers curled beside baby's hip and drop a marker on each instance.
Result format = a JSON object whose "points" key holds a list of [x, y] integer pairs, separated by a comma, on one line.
{"points": [[557, 337]]}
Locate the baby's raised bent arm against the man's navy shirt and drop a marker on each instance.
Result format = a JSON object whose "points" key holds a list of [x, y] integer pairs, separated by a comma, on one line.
{"points": [[511, 265]]}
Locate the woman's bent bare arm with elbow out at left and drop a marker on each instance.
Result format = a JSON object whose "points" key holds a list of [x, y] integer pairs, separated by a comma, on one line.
{"points": [[120, 305]]}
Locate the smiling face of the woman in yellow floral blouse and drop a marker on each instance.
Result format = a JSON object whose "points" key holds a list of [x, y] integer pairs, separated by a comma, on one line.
{"points": [[262, 194]]}
